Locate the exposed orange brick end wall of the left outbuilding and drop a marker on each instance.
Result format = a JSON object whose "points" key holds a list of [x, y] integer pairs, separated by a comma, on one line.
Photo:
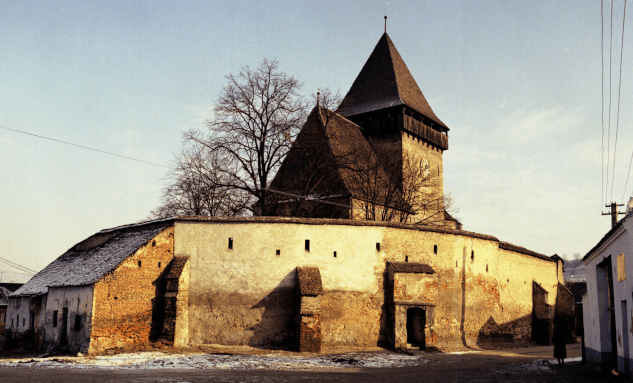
{"points": [[123, 298]]}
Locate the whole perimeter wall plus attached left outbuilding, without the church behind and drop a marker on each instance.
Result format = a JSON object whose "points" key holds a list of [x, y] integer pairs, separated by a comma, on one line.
{"points": [[284, 282]]}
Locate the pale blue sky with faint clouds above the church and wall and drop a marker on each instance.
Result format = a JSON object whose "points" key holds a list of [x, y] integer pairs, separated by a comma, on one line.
{"points": [[517, 82]]}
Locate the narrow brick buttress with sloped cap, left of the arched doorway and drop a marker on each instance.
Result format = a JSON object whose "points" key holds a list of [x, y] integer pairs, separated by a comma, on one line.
{"points": [[309, 286]]}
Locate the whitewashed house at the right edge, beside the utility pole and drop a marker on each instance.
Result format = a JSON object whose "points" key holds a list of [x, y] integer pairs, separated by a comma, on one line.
{"points": [[607, 302]]}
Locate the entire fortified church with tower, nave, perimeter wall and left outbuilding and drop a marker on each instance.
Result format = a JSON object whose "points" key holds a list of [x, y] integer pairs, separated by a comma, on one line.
{"points": [[310, 277]]}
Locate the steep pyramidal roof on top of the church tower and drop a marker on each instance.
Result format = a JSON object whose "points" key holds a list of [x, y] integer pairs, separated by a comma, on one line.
{"points": [[385, 81]]}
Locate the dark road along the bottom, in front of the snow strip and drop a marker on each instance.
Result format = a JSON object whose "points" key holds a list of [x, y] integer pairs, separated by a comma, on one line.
{"points": [[526, 365]]}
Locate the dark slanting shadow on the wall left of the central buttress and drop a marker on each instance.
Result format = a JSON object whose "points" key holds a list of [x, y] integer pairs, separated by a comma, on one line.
{"points": [[276, 328]]}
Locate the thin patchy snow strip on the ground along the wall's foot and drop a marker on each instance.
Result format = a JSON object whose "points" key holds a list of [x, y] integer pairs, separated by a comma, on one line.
{"points": [[159, 360]]}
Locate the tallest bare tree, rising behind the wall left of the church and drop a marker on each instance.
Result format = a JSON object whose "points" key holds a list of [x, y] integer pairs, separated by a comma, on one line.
{"points": [[257, 116]]}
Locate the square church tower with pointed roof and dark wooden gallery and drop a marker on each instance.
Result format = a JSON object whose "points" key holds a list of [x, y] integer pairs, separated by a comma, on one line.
{"points": [[387, 103]]}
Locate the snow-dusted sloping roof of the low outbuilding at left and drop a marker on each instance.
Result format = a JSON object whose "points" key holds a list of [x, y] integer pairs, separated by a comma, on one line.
{"points": [[83, 265]]}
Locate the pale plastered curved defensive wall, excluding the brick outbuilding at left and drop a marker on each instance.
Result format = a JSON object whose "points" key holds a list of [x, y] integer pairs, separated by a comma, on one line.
{"points": [[242, 283]]}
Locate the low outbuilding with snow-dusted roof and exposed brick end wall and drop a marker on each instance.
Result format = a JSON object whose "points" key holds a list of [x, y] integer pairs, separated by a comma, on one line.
{"points": [[99, 294]]}
